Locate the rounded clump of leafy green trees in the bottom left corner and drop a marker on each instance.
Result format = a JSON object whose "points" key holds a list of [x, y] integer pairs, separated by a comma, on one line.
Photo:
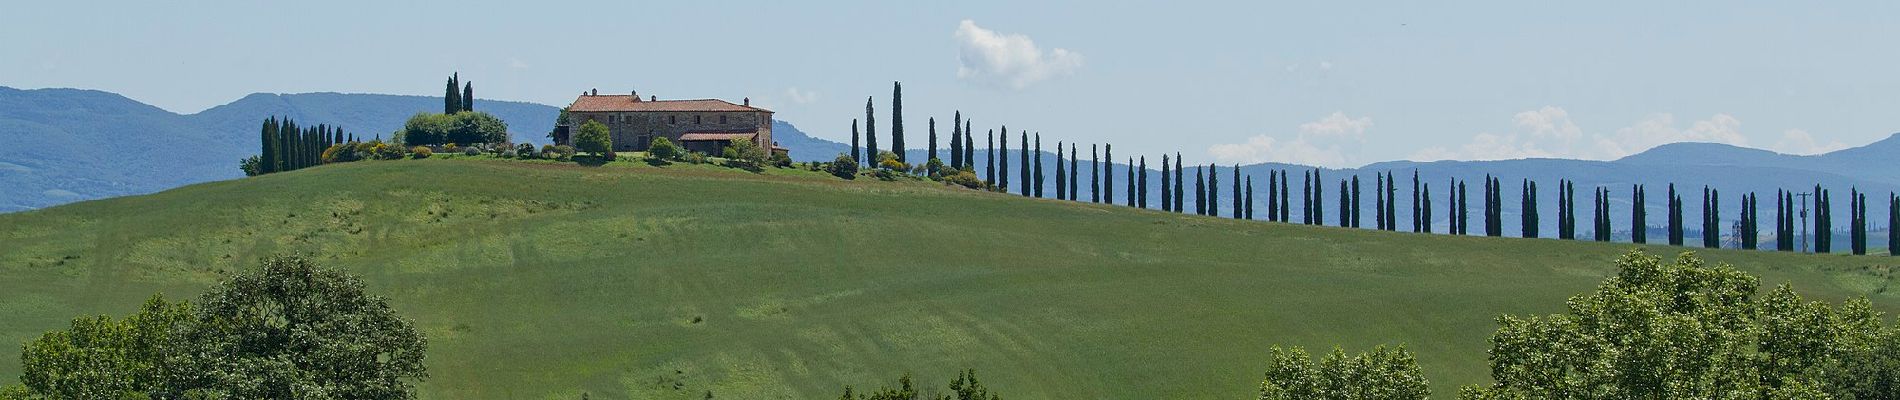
{"points": [[288, 329]]}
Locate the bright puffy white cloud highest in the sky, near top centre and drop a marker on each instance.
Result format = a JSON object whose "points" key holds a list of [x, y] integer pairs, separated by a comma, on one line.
{"points": [[1008, 60]]}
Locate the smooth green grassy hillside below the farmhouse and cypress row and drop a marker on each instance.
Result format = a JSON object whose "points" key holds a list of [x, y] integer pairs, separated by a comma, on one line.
{"points": [[632, 282]]}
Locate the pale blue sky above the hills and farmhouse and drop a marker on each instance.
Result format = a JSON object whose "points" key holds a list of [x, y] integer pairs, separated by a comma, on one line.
{"points": [[1337, 84]]}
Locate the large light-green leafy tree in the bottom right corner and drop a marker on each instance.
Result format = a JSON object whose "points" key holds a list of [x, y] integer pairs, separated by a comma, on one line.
{"points": [[1703, 335]]}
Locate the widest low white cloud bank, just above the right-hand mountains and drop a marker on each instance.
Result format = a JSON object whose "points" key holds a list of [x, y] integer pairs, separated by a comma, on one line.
{"points": [[1551, 134]]}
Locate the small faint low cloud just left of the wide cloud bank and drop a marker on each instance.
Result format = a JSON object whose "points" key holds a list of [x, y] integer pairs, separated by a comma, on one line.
{"points": [[1320, 143]]}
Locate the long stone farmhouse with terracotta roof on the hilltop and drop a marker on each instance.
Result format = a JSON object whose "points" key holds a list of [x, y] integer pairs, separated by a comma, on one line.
{"points": [[704, 126]]}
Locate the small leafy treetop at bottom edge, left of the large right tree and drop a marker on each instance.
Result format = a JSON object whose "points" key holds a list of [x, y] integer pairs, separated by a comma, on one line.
{"points": [[1384, 374]]}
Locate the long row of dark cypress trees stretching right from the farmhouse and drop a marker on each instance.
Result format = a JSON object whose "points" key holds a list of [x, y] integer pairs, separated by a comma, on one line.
{"points": [[1207, 189]]}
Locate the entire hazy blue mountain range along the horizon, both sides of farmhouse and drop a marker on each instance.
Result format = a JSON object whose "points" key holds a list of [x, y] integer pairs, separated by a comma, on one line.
{"points": [[73, 145]]}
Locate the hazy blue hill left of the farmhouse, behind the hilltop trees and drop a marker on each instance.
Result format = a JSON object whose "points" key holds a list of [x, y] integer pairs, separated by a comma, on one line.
{"points": [[73, 145]]}
